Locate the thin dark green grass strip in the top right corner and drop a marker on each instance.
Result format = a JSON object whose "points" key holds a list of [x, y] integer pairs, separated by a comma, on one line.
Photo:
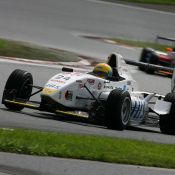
{"points": [[159, 2]]}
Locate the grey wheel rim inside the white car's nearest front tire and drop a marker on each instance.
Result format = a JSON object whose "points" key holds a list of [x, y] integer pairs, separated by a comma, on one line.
{"points": [[125, 111]]}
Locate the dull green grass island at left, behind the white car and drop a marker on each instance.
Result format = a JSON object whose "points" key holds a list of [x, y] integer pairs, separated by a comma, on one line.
{"points": [[18, 49]]}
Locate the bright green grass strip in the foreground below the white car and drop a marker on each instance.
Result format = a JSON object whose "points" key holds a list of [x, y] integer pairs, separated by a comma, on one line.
{"points": [[106, 149]]}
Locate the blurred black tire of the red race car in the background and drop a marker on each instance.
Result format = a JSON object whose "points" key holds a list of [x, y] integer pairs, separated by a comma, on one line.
{"points": [[148, 55]]}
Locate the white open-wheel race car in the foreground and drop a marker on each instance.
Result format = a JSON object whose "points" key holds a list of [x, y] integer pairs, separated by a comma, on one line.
{"points": [[112, 102]]}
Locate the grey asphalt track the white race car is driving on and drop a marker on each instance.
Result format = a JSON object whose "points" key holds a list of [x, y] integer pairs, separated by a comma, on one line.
{"points": [[38, 120]]}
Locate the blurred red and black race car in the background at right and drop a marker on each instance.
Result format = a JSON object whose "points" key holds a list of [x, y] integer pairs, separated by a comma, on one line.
{"points": [[152, 56]]}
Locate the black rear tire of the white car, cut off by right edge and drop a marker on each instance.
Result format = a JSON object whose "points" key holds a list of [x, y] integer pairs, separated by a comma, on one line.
{"points": [[167, 122]]}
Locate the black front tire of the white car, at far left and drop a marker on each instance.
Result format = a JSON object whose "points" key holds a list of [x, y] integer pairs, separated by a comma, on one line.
{"points": [[18, 86]]}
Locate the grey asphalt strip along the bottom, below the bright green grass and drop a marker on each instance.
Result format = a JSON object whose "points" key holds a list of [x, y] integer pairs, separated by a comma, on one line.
{"points": [[15, 164]]}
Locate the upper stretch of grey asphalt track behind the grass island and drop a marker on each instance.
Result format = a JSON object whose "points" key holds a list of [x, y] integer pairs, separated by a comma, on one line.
{"points": [[59, 24]]}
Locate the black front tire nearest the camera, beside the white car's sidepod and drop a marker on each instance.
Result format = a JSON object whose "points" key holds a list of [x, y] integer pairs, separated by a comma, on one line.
{"points": [[118, 109]]}
